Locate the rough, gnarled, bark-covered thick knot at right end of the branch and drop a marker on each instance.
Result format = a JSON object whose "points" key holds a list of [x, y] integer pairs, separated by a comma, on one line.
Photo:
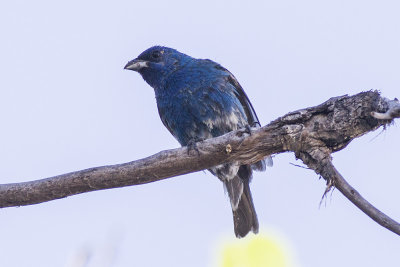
{"points": [[314, 133]]}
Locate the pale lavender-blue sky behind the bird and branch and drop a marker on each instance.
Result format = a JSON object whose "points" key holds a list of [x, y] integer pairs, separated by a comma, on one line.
{"points": [[67, 104]]}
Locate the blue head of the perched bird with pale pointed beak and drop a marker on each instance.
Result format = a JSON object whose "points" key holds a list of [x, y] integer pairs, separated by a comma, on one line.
{"points": [[156, 63]]}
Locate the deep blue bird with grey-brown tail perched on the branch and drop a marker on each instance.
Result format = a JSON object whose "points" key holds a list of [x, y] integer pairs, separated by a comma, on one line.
{"points": [[199, 99]]}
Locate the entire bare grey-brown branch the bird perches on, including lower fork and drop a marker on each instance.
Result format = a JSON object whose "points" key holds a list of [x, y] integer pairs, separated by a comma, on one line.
{"points": [[312, 134]]}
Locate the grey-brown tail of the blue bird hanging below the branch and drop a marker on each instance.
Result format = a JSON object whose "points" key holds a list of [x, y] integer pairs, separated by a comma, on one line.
{"points": [[244, 213]]}
